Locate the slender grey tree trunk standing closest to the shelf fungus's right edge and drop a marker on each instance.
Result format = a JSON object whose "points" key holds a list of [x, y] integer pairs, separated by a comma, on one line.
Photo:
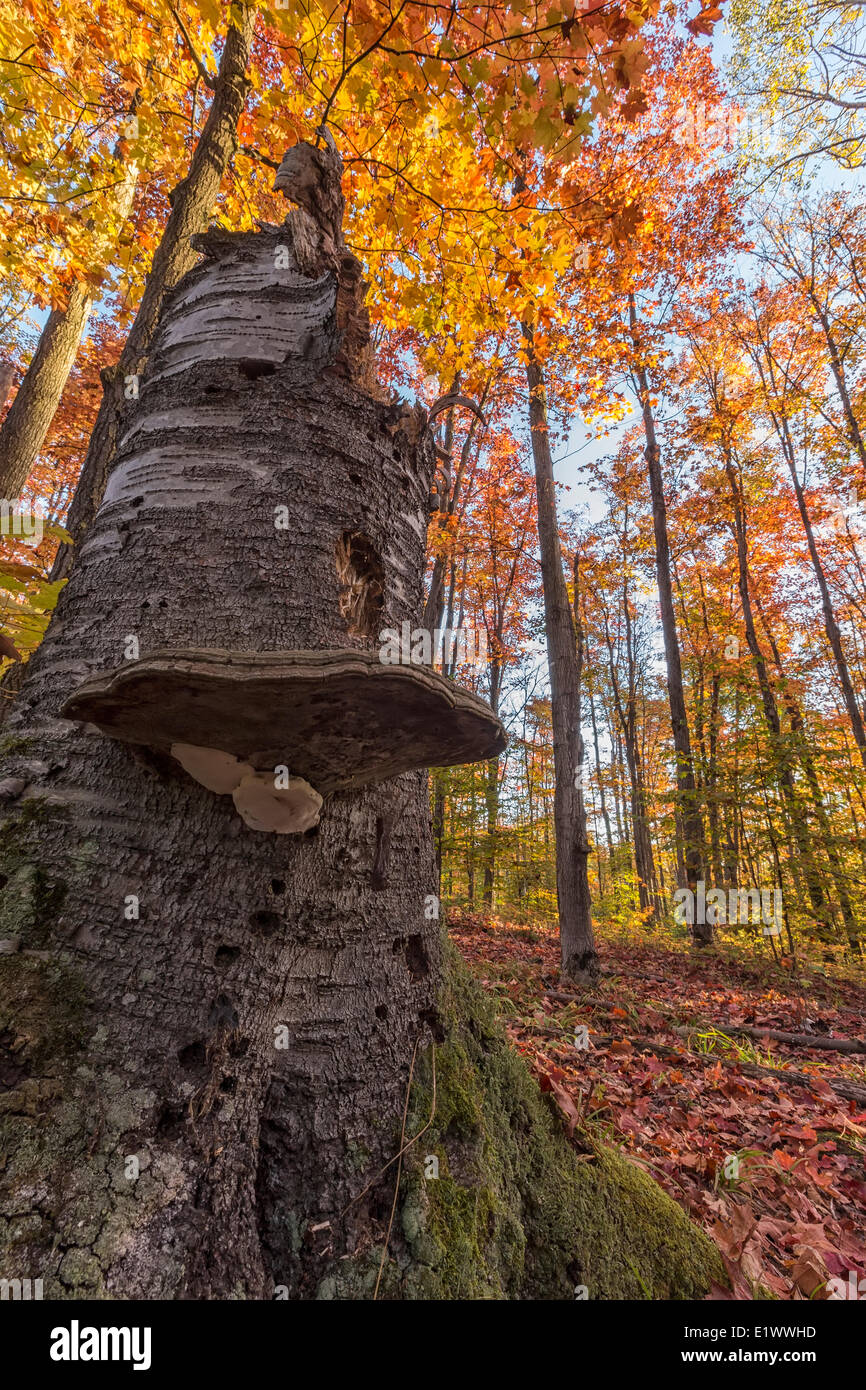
{"points": [[579, 954]]}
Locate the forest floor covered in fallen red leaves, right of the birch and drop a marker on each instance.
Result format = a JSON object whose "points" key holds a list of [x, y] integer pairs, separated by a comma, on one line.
{"points": [[774, 1170]]}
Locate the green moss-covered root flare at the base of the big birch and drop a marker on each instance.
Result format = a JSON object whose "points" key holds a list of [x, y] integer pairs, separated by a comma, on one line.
{"points": [[516, 1211]]}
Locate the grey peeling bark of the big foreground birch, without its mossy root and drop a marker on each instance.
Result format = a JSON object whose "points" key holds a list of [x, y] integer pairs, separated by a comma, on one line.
{"points": [[169, 1022]]}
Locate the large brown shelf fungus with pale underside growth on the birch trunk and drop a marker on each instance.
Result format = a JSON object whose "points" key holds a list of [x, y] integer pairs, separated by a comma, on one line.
{"points": [[333, 719]]}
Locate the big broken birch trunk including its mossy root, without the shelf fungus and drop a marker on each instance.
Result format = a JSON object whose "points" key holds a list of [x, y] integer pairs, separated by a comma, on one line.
{"points": [[206, 1033]]}
